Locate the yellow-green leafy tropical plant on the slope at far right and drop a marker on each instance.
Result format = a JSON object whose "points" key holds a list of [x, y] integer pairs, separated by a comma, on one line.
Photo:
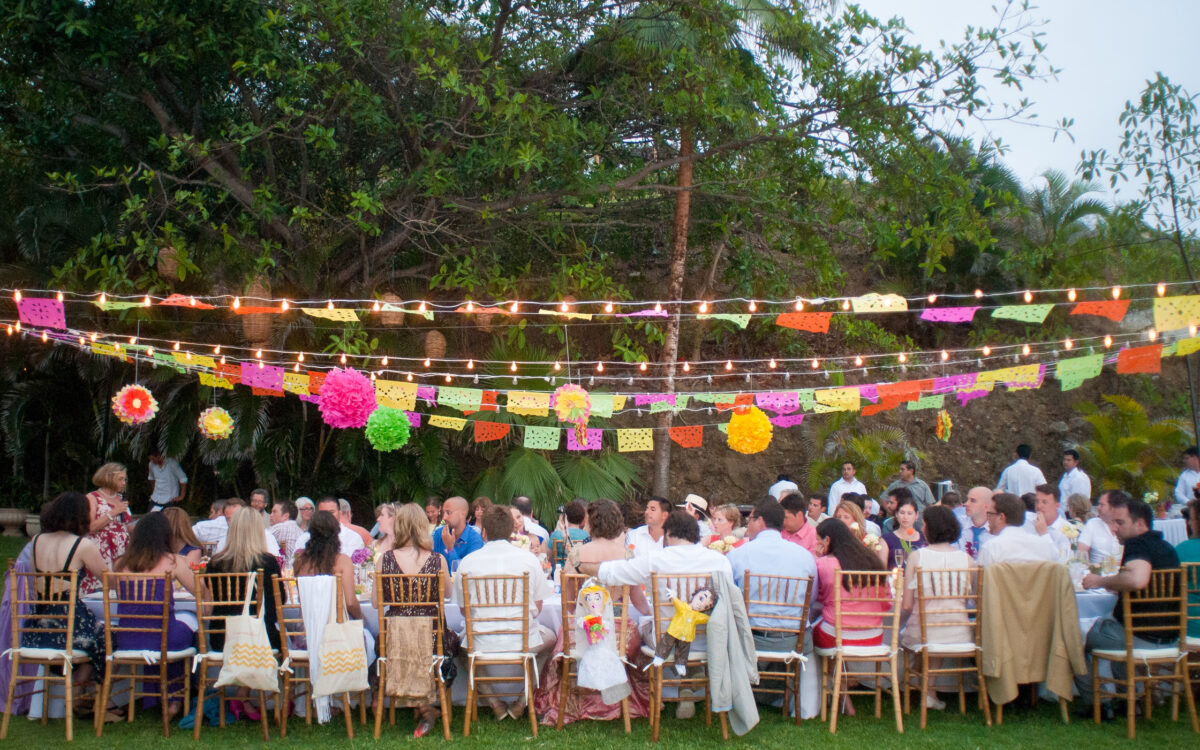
{"points": [[1129, 451]]}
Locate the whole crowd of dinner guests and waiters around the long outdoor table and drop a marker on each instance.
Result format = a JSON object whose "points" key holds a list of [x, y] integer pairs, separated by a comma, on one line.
{"points": [[785, 532]]}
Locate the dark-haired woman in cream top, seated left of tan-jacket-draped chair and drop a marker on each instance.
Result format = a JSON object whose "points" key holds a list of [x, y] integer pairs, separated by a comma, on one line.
{"points": [[947, 622]]}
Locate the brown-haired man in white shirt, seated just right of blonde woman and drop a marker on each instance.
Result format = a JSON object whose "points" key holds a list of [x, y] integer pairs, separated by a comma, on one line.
{"points": [[501, 557]]}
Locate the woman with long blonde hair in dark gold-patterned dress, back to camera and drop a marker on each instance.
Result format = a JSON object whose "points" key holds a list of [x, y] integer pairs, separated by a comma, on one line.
{"points": [[411, 553]]}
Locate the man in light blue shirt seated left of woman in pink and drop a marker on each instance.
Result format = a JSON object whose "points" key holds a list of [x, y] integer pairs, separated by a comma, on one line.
{"points": [[770, 554]]}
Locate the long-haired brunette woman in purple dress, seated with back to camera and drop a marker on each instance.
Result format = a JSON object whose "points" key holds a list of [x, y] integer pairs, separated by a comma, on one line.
{"points": [[151, 554]]}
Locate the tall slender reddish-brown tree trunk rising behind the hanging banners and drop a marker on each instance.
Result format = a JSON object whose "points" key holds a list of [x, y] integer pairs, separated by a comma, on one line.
{"points": [[675, 293]]}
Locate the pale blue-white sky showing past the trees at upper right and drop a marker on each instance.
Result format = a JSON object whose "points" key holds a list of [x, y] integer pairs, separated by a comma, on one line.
{"points": [[1107, 51]]}
